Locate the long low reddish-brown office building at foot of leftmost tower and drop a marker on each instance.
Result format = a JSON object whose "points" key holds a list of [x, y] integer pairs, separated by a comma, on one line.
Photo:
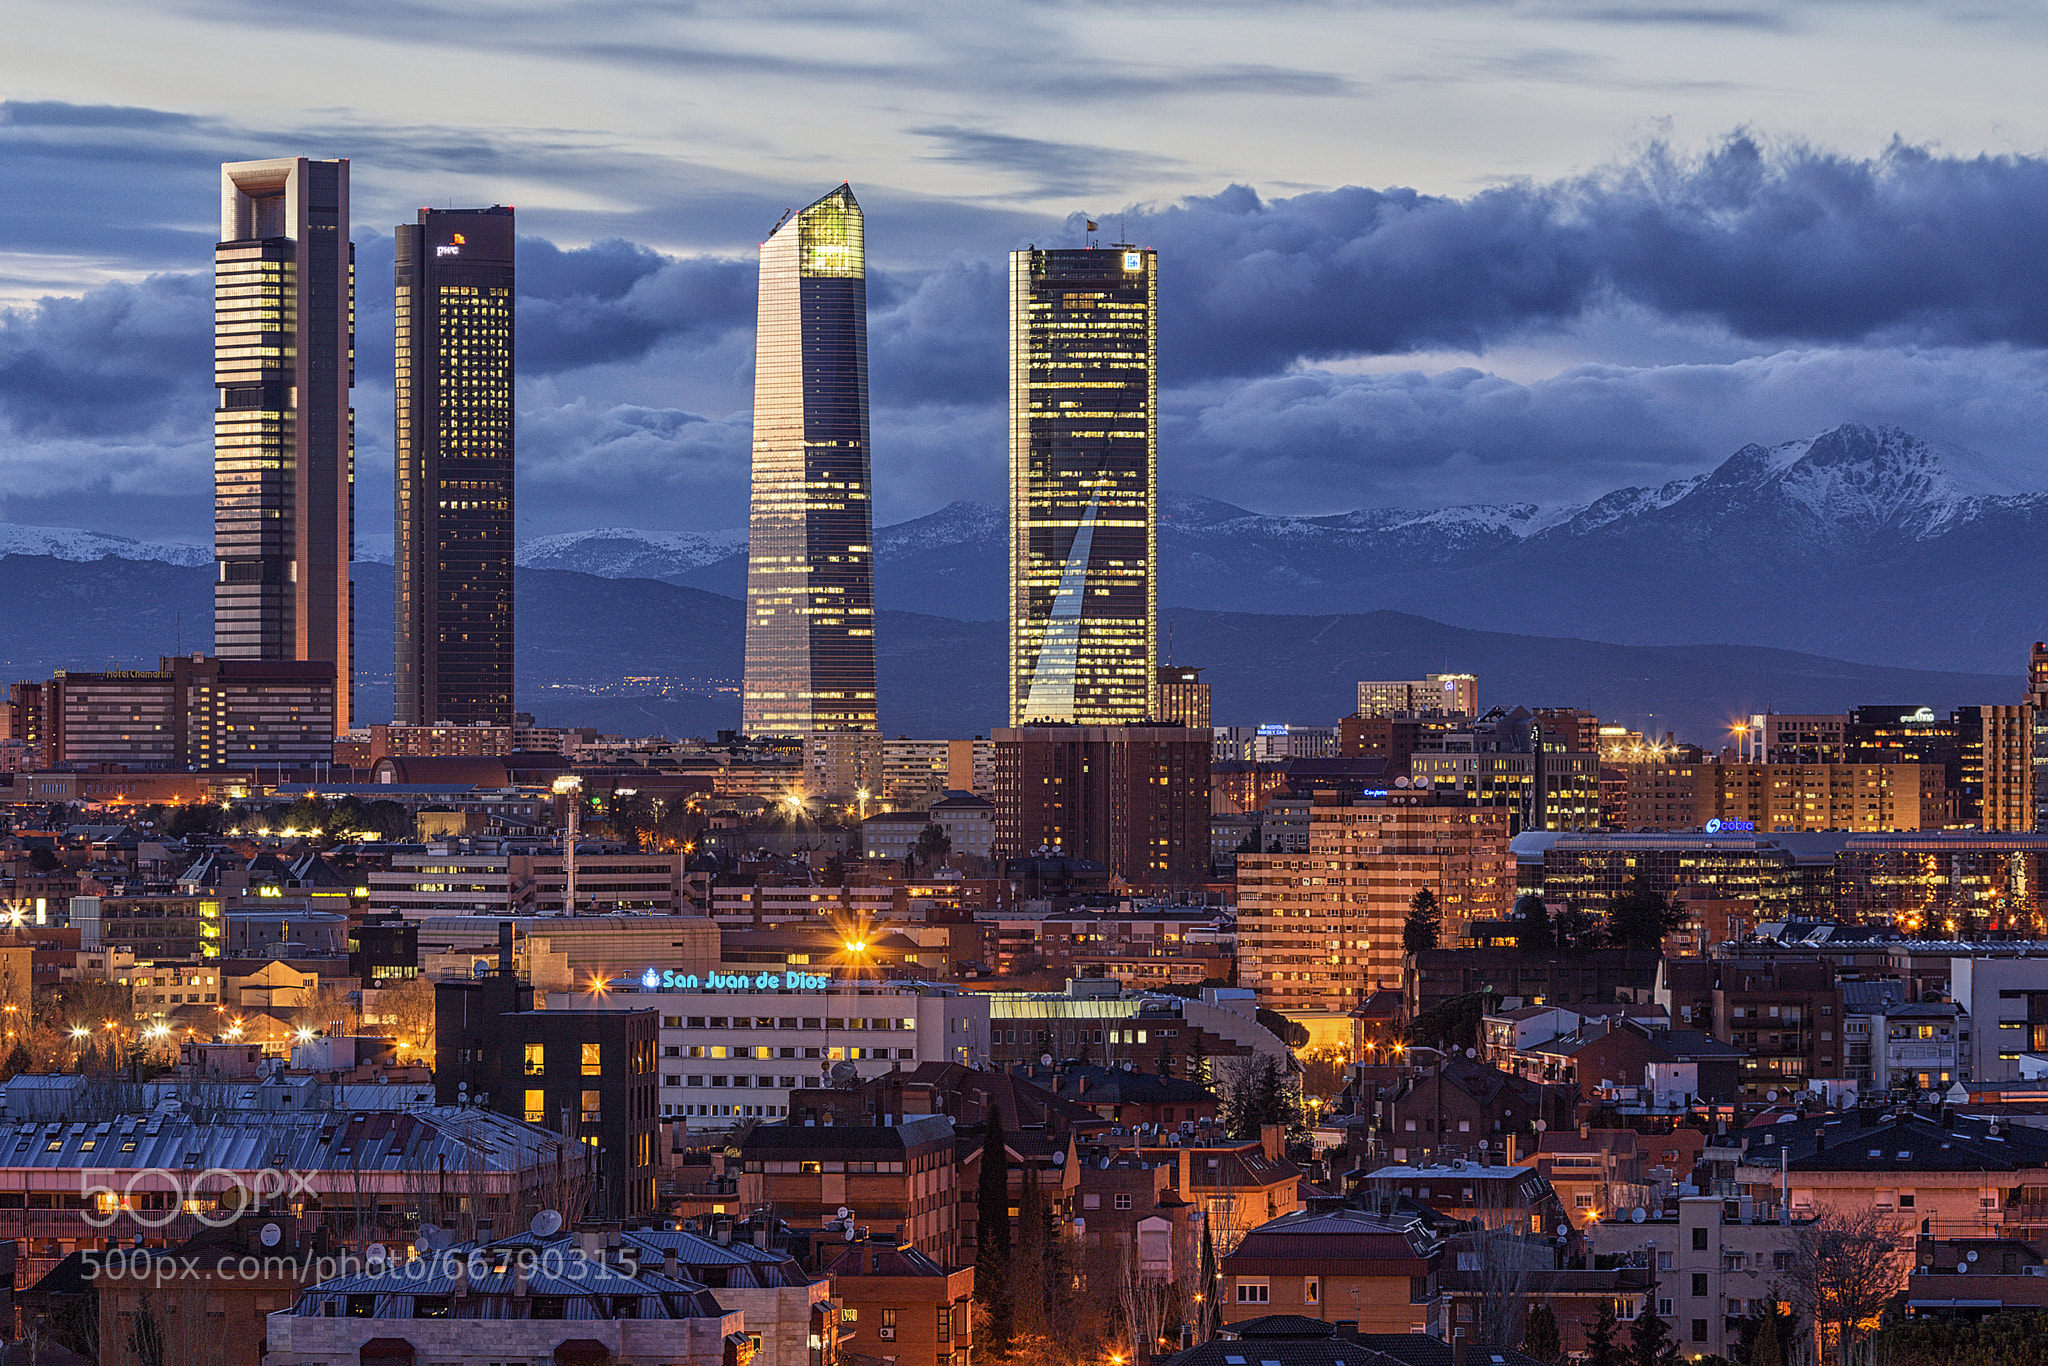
{"points": [[194, 714]]}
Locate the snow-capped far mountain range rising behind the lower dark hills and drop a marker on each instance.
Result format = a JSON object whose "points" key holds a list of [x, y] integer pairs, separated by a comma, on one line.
{"points": [[1865, 544]]}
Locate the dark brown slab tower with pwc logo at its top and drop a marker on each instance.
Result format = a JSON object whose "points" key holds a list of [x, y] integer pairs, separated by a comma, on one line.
{"points": [[454, 468]]}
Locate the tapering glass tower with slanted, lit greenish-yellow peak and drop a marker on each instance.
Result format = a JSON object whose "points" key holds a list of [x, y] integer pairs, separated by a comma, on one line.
{"points": [[812, 536]]}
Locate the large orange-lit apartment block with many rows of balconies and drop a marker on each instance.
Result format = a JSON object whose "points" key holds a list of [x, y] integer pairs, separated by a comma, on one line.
{"points": [[1322, 931]]}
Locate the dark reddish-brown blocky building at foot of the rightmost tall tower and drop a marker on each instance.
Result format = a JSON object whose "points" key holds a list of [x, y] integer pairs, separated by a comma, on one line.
{"points": [[1129, 798]]}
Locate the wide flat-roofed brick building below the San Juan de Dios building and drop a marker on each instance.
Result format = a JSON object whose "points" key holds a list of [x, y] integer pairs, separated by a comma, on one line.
{"points": [[896, 1179]]}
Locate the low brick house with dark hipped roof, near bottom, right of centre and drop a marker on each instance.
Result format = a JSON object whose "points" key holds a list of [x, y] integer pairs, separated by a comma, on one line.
{"points": [[1379, 1275]]}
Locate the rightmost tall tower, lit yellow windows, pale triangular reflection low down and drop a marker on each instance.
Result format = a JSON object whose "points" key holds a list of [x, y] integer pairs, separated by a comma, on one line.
{"points": [[1084, 499]]}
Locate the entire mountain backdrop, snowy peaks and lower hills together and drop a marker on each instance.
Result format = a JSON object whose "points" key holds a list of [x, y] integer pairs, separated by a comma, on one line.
{"points": [[1758, 583]]}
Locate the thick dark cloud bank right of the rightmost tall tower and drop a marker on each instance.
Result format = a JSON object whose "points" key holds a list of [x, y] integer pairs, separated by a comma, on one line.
{"points": [[1787, 245]]}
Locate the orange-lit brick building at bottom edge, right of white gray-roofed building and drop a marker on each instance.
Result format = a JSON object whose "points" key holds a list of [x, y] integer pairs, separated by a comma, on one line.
{"points": [[900, 1304]]}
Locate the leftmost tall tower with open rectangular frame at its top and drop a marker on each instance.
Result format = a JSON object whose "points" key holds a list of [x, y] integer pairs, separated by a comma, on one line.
{"points": [[284, 435]]}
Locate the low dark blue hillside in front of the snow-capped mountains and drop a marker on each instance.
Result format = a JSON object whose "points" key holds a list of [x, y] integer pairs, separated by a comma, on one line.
{"points": [[669, 658]]}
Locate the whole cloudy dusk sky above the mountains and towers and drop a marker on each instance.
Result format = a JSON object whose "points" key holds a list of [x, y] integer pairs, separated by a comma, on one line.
{"points": [[1412, 255]]}
